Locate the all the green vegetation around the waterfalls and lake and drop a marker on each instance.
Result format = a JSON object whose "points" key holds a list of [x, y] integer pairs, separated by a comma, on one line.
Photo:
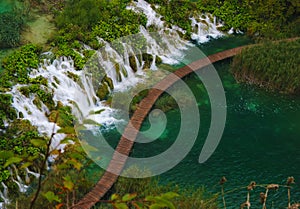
{"points": [[273, 65]]}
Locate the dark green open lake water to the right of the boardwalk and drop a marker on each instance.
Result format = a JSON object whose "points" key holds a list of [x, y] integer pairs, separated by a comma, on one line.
{"points": [[261, 141]]}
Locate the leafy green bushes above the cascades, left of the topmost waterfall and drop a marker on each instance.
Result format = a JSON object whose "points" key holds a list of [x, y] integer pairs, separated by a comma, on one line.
{"points": [[86, 20]]}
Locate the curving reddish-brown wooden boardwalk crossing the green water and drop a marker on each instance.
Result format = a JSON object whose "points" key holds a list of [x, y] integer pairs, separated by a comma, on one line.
{"points": [[125, 144]]}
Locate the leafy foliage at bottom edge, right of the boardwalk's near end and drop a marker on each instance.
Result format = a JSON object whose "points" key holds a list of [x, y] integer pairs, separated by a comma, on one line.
{"points": [[147, 193]]}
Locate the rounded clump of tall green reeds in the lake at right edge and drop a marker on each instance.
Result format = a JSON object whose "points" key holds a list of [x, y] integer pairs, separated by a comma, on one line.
{"points": [[274, 65]]}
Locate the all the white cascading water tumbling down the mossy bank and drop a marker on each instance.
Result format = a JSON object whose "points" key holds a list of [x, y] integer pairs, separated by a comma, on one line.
{"points": [[81, 94]]}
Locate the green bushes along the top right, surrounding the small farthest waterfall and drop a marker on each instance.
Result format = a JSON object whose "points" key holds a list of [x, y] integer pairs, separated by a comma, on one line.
{"points": [[270, 19]]}
